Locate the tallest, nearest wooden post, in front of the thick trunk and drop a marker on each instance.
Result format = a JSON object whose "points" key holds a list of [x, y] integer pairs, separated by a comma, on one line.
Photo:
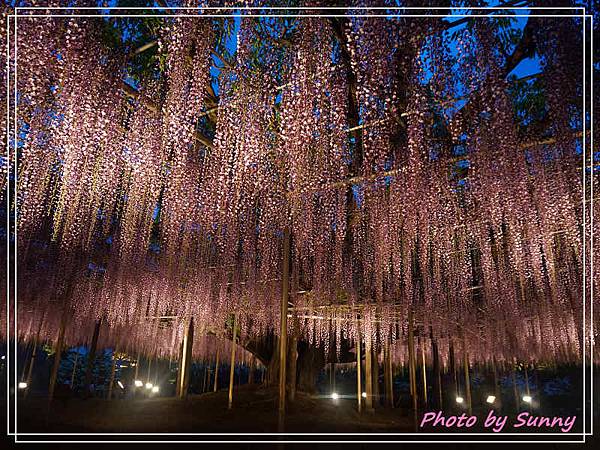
{"points": [[285, 286]]}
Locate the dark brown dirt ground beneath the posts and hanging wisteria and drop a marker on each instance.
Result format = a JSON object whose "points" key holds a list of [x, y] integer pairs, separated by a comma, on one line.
{"points": [[254, 410]]}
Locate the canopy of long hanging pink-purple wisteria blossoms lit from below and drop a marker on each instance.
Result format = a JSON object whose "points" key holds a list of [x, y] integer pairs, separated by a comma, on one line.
{"points": [[161, 161]]}
